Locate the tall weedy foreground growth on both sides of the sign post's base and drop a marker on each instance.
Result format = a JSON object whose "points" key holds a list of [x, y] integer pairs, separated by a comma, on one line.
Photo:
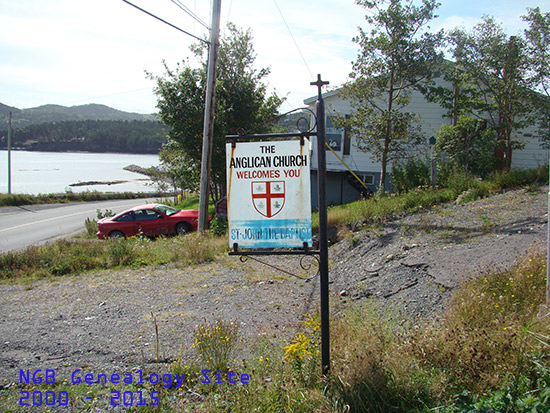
{"points": [[489, 352]]}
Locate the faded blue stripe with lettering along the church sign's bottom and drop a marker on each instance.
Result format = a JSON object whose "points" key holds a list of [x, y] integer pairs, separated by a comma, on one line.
{"points": [[277, 233]]}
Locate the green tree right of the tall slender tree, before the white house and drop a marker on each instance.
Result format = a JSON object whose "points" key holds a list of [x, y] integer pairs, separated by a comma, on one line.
{"points": [[491, 76]]}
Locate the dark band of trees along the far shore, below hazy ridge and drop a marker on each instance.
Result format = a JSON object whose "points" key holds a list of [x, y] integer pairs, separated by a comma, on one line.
{"points": [[89, 135]]}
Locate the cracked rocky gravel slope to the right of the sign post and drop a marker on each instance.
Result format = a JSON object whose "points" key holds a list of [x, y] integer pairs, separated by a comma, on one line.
{"points": [[413, 264]]}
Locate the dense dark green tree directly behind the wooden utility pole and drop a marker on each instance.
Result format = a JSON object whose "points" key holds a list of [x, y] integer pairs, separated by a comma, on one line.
{"points": [[242, 101]]}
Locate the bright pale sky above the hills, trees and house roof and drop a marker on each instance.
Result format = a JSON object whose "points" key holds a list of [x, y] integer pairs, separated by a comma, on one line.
{"points": [[76, 52]]}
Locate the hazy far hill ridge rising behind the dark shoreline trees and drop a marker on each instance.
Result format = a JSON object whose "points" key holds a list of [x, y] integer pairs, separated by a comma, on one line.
{"points": [[57, 113]]}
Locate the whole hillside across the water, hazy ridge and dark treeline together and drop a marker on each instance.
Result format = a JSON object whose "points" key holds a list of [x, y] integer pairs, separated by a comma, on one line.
{"points": [[93, 128]]}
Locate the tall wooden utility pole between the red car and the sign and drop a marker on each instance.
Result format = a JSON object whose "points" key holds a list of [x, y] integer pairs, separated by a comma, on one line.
{"points": [[208, 130]]}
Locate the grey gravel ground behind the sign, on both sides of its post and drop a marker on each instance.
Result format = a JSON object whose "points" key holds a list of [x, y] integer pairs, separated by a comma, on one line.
{"points": [[105, 320]]}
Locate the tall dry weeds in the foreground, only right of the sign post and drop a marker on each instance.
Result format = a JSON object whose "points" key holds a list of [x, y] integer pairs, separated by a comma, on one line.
{"points": [[490, 349]]}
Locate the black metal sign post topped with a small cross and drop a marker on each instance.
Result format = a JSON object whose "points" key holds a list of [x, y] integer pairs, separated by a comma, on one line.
{"points": [[323, 238]]}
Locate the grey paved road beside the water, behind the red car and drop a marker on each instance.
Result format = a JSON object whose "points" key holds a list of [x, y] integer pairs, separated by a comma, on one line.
{"points": [[28, 225]]}
